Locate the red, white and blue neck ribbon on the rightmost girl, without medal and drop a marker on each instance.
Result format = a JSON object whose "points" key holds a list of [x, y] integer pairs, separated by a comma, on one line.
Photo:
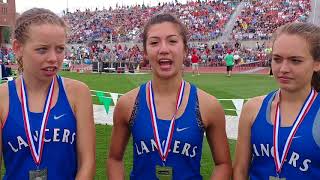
{"points": [[303, 112]]}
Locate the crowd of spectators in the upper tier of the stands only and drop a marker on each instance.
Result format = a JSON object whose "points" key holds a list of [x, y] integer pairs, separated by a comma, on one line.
{"points": [[205, 20]]}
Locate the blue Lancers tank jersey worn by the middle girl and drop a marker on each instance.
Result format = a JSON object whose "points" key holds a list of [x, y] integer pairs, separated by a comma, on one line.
{"points": [[186, 145]]}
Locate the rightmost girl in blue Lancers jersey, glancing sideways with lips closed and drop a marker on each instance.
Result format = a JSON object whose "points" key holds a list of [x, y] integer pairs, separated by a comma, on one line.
{"points": [[279, 134]]}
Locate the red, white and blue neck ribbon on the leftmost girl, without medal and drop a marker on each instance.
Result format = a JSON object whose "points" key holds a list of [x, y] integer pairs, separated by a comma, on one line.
{"points": [[36, 154]]}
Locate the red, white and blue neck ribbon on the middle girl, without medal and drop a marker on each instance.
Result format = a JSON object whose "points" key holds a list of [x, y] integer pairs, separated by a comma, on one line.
{"points": [[153, 114]]}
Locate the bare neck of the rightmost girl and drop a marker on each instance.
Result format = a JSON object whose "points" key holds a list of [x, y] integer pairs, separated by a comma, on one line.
{"points": [[295, 97]]}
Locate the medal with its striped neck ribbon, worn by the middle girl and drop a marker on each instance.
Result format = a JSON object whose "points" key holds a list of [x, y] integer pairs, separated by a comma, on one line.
{"points": [[163, 172]]}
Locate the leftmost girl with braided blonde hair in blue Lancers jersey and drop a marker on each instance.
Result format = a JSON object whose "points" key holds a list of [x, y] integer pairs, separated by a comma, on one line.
{"points": [[47, 129]]}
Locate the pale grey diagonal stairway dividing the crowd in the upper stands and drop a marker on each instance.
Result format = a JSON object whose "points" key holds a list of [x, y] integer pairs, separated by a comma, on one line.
{"points": [[226, 33]]}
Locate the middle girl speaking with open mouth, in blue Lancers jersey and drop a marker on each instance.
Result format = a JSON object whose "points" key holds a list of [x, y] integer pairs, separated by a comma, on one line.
{"points": [[167, 117]]}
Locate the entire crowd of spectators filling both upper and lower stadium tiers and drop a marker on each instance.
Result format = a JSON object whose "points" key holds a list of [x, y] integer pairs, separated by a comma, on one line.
{"points": [[114, 35]]}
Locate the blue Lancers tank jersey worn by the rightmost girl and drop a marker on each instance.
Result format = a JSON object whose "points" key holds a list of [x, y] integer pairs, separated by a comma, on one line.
{"points": [[303, 160]]}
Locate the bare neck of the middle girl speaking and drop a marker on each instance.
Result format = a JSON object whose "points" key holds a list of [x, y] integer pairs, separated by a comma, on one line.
{"points": [[166, 86]]}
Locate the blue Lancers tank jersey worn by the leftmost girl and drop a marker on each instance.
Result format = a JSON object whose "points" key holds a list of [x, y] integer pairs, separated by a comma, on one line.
{"points": [[59, 150]]}
